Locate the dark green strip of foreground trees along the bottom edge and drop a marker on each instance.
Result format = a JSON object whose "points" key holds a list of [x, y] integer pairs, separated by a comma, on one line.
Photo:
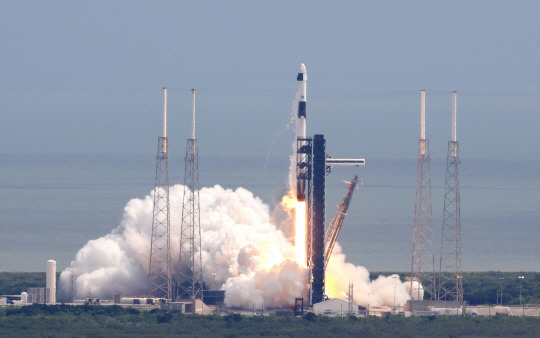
{"points": [[75, 321]]}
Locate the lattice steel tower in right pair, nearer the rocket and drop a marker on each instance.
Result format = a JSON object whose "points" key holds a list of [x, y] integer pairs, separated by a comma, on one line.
{"points": [[423, 259]]}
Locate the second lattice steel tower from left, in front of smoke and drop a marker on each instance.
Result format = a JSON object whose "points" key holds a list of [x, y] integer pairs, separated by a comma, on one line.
{"points": [[190, 275]]}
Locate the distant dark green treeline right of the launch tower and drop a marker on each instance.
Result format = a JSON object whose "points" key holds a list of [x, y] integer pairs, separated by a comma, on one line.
{"points": [[481, 288]]}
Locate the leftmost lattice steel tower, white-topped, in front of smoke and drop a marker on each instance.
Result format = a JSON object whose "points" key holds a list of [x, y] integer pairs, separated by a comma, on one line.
{"points": [[159, 269]]}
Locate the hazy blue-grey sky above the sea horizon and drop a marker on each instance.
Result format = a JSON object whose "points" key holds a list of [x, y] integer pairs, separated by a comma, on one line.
{"points": [[86, 76]]}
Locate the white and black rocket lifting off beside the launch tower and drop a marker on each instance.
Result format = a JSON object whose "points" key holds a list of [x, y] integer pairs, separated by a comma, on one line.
{"points": [[301, 135]]}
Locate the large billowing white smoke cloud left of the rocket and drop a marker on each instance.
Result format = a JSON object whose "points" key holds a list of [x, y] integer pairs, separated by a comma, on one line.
{"points": [[242, 252]]}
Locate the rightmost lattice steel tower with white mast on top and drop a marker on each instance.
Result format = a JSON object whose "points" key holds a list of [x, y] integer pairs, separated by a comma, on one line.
{"points": [[450, 273]]}
